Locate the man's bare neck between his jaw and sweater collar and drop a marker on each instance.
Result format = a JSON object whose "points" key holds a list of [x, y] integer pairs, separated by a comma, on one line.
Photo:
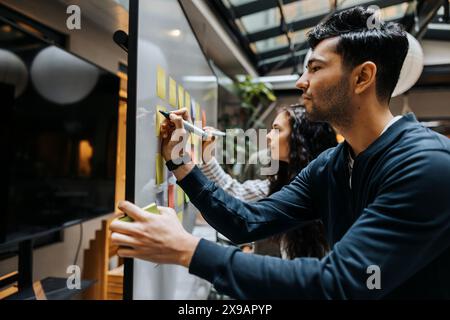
{"points": [[368, 123]]}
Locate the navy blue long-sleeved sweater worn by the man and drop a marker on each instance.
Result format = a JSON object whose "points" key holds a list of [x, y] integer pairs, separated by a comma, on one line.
{"points": [[396, 217]]}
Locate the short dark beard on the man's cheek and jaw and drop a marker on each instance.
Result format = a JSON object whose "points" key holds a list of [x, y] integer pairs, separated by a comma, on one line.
{"points": [[335, 108]]}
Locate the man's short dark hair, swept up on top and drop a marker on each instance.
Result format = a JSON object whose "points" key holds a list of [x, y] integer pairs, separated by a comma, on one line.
{"points": [[386, 45]]}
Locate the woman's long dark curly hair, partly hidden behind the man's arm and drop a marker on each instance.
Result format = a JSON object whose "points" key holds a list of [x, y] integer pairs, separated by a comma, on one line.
{"points": [[307, 140]]}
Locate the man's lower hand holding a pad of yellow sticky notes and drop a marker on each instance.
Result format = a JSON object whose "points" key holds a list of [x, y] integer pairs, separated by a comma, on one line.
{"points": [[156, 238]]}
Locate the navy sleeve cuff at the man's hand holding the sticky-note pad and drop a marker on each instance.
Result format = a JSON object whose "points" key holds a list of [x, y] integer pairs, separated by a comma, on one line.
{"points": [[208, 259]]}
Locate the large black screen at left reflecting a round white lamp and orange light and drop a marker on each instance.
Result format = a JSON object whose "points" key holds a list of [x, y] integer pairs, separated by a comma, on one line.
{"points": [[58, 136]]}
